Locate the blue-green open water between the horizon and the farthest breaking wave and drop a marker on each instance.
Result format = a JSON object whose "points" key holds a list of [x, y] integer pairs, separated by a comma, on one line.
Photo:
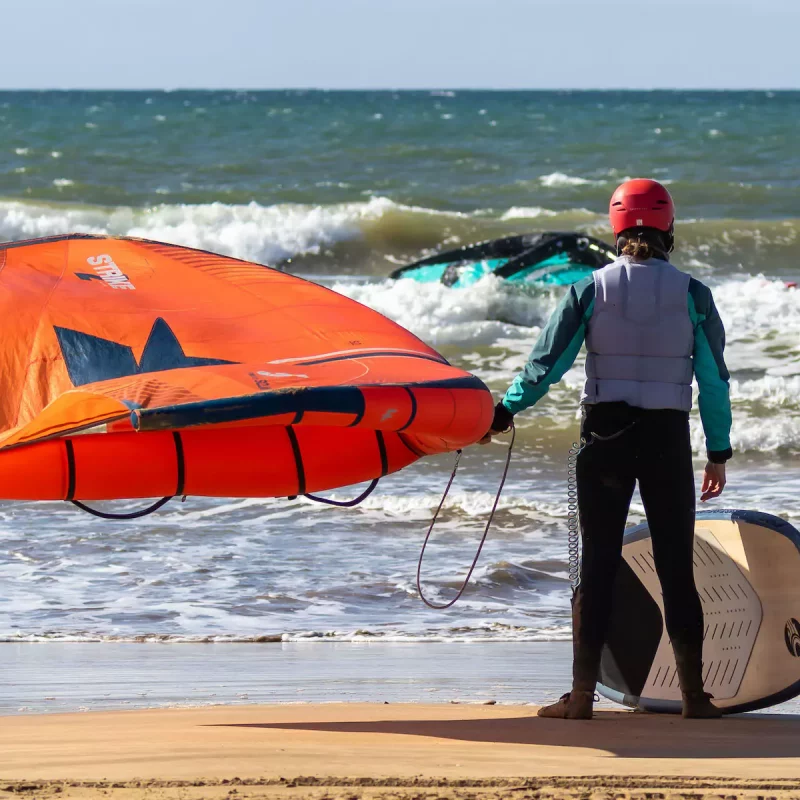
{"points": [[730, 154]]}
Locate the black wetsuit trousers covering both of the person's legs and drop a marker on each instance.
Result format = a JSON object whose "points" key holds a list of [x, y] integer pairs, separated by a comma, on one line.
{"points": [[657, 452]]}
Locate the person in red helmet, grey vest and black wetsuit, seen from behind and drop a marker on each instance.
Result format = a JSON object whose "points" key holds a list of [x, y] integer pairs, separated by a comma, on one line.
{"points": [[648, 328]]}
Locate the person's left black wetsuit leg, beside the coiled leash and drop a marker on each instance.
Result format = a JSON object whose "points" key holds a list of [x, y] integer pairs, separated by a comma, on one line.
{"points": [[606, 479]]}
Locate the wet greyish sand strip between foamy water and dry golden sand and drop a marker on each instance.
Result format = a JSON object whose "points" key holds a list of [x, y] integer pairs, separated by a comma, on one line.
{"points": [[62, 678]]}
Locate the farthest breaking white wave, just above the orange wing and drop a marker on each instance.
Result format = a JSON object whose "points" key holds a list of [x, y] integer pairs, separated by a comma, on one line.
{"points": [[370, 236]]}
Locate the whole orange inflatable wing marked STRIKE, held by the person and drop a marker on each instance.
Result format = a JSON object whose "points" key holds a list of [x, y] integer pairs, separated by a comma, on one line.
{"points": [[132, 368]]}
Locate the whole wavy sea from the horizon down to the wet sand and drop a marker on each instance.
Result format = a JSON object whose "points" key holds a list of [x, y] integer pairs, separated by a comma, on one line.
{"points": [[342, 187]]}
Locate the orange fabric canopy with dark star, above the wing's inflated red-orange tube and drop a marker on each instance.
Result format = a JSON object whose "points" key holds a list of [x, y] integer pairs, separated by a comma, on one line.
{"points": [[127, 333]]}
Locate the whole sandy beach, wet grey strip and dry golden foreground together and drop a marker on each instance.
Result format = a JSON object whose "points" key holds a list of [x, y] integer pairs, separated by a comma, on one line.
{"points": [[443, 720]]}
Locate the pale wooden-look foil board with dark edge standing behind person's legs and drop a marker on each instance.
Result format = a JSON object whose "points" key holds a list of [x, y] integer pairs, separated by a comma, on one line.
{"points": [[747, 572]]}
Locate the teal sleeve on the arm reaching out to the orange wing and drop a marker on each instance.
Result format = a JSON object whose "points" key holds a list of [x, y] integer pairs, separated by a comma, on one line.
{"points": [[556, 349]]}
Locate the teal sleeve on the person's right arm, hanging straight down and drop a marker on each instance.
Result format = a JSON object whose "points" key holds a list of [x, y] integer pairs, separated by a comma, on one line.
{"points": [[713, 379]]}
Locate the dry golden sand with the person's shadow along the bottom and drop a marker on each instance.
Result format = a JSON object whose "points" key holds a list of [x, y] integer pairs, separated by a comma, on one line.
{"points": [[349, 751]]}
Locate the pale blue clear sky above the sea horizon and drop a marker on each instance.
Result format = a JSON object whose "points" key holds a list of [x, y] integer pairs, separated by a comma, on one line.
{"points": [[400, 44]]}
